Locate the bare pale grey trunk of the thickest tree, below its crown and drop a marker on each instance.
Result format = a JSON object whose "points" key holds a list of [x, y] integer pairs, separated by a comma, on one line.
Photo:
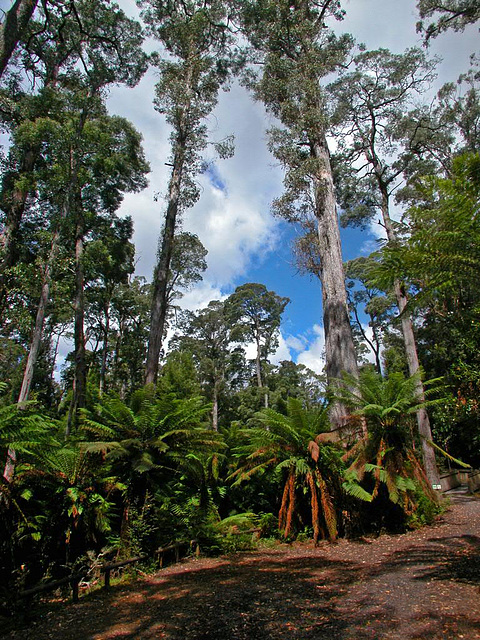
{"points": [[339, 347]]}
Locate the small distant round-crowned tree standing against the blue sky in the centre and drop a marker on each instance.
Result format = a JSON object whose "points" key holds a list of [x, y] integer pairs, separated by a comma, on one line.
{"points": [[255, 314]]}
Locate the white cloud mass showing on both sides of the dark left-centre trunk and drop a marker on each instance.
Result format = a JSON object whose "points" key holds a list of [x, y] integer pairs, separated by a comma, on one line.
{"points": [[233, 223]]}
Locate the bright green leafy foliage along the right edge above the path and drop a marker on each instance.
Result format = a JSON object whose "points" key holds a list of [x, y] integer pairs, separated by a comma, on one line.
{"points": [[440, 259]]}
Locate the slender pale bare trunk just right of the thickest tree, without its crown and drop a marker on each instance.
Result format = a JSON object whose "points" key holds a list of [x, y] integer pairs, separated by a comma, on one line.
{"points": [[423, 421]]}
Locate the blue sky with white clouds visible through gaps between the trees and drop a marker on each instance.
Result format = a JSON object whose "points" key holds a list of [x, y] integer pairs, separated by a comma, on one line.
{"points": [[233, 217]]}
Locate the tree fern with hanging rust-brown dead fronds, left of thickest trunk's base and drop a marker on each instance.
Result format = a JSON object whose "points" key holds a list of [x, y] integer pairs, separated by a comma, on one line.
{"points": [[290, 444]]}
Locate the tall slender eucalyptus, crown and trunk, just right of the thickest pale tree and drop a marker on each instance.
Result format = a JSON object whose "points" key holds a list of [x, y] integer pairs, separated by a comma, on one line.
{"points": [[371, 100]]}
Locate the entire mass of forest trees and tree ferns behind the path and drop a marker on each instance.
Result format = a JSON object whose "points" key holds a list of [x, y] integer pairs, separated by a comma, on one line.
{"points": [[100, 464]]}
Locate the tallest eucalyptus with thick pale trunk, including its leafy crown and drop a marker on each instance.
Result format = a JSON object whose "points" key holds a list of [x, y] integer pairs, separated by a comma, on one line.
{"points": [[298, 49]]}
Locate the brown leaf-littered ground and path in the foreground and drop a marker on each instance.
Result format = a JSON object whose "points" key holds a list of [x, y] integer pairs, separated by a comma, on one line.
{"points": [[422, 584]]}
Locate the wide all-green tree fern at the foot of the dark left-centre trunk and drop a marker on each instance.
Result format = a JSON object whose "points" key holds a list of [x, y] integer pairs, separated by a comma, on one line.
{"points": [[153, 440]]}
